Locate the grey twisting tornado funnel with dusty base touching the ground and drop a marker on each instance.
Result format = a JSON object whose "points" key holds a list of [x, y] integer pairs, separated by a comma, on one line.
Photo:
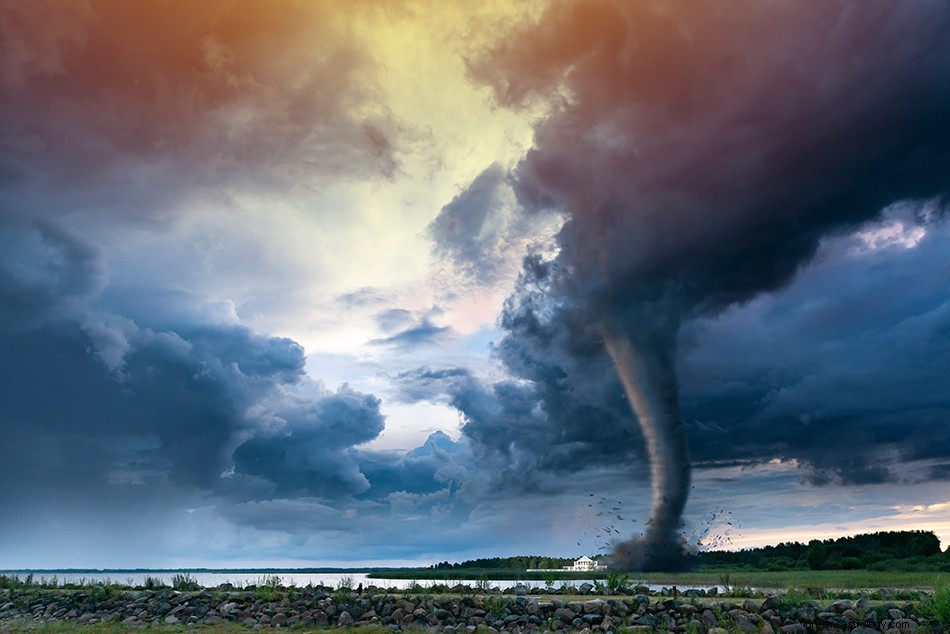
{"points": [[646, 368]]}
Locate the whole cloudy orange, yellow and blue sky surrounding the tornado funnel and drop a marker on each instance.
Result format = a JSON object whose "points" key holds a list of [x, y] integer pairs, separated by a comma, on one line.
{"points": [[329, 283]]}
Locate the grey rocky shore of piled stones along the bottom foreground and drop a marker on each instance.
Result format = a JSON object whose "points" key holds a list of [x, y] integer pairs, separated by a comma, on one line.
{"points": [[463, 611]]}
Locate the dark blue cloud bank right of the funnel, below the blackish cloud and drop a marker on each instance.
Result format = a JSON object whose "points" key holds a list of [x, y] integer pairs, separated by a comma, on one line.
{"points": [[843, 370]]}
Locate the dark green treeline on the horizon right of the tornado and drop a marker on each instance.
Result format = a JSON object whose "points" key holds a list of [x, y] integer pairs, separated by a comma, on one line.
{"points": [[893, 550]]}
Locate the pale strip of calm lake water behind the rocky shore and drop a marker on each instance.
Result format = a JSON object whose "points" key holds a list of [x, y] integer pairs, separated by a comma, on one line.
{"points": [[299, 579]]}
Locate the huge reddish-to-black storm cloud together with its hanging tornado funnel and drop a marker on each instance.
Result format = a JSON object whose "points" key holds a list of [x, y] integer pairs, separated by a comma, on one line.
{"points": [[701, 151]]}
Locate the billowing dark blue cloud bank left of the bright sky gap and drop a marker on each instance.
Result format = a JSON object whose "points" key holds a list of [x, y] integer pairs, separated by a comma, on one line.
{"points": [[95, 401]]}
